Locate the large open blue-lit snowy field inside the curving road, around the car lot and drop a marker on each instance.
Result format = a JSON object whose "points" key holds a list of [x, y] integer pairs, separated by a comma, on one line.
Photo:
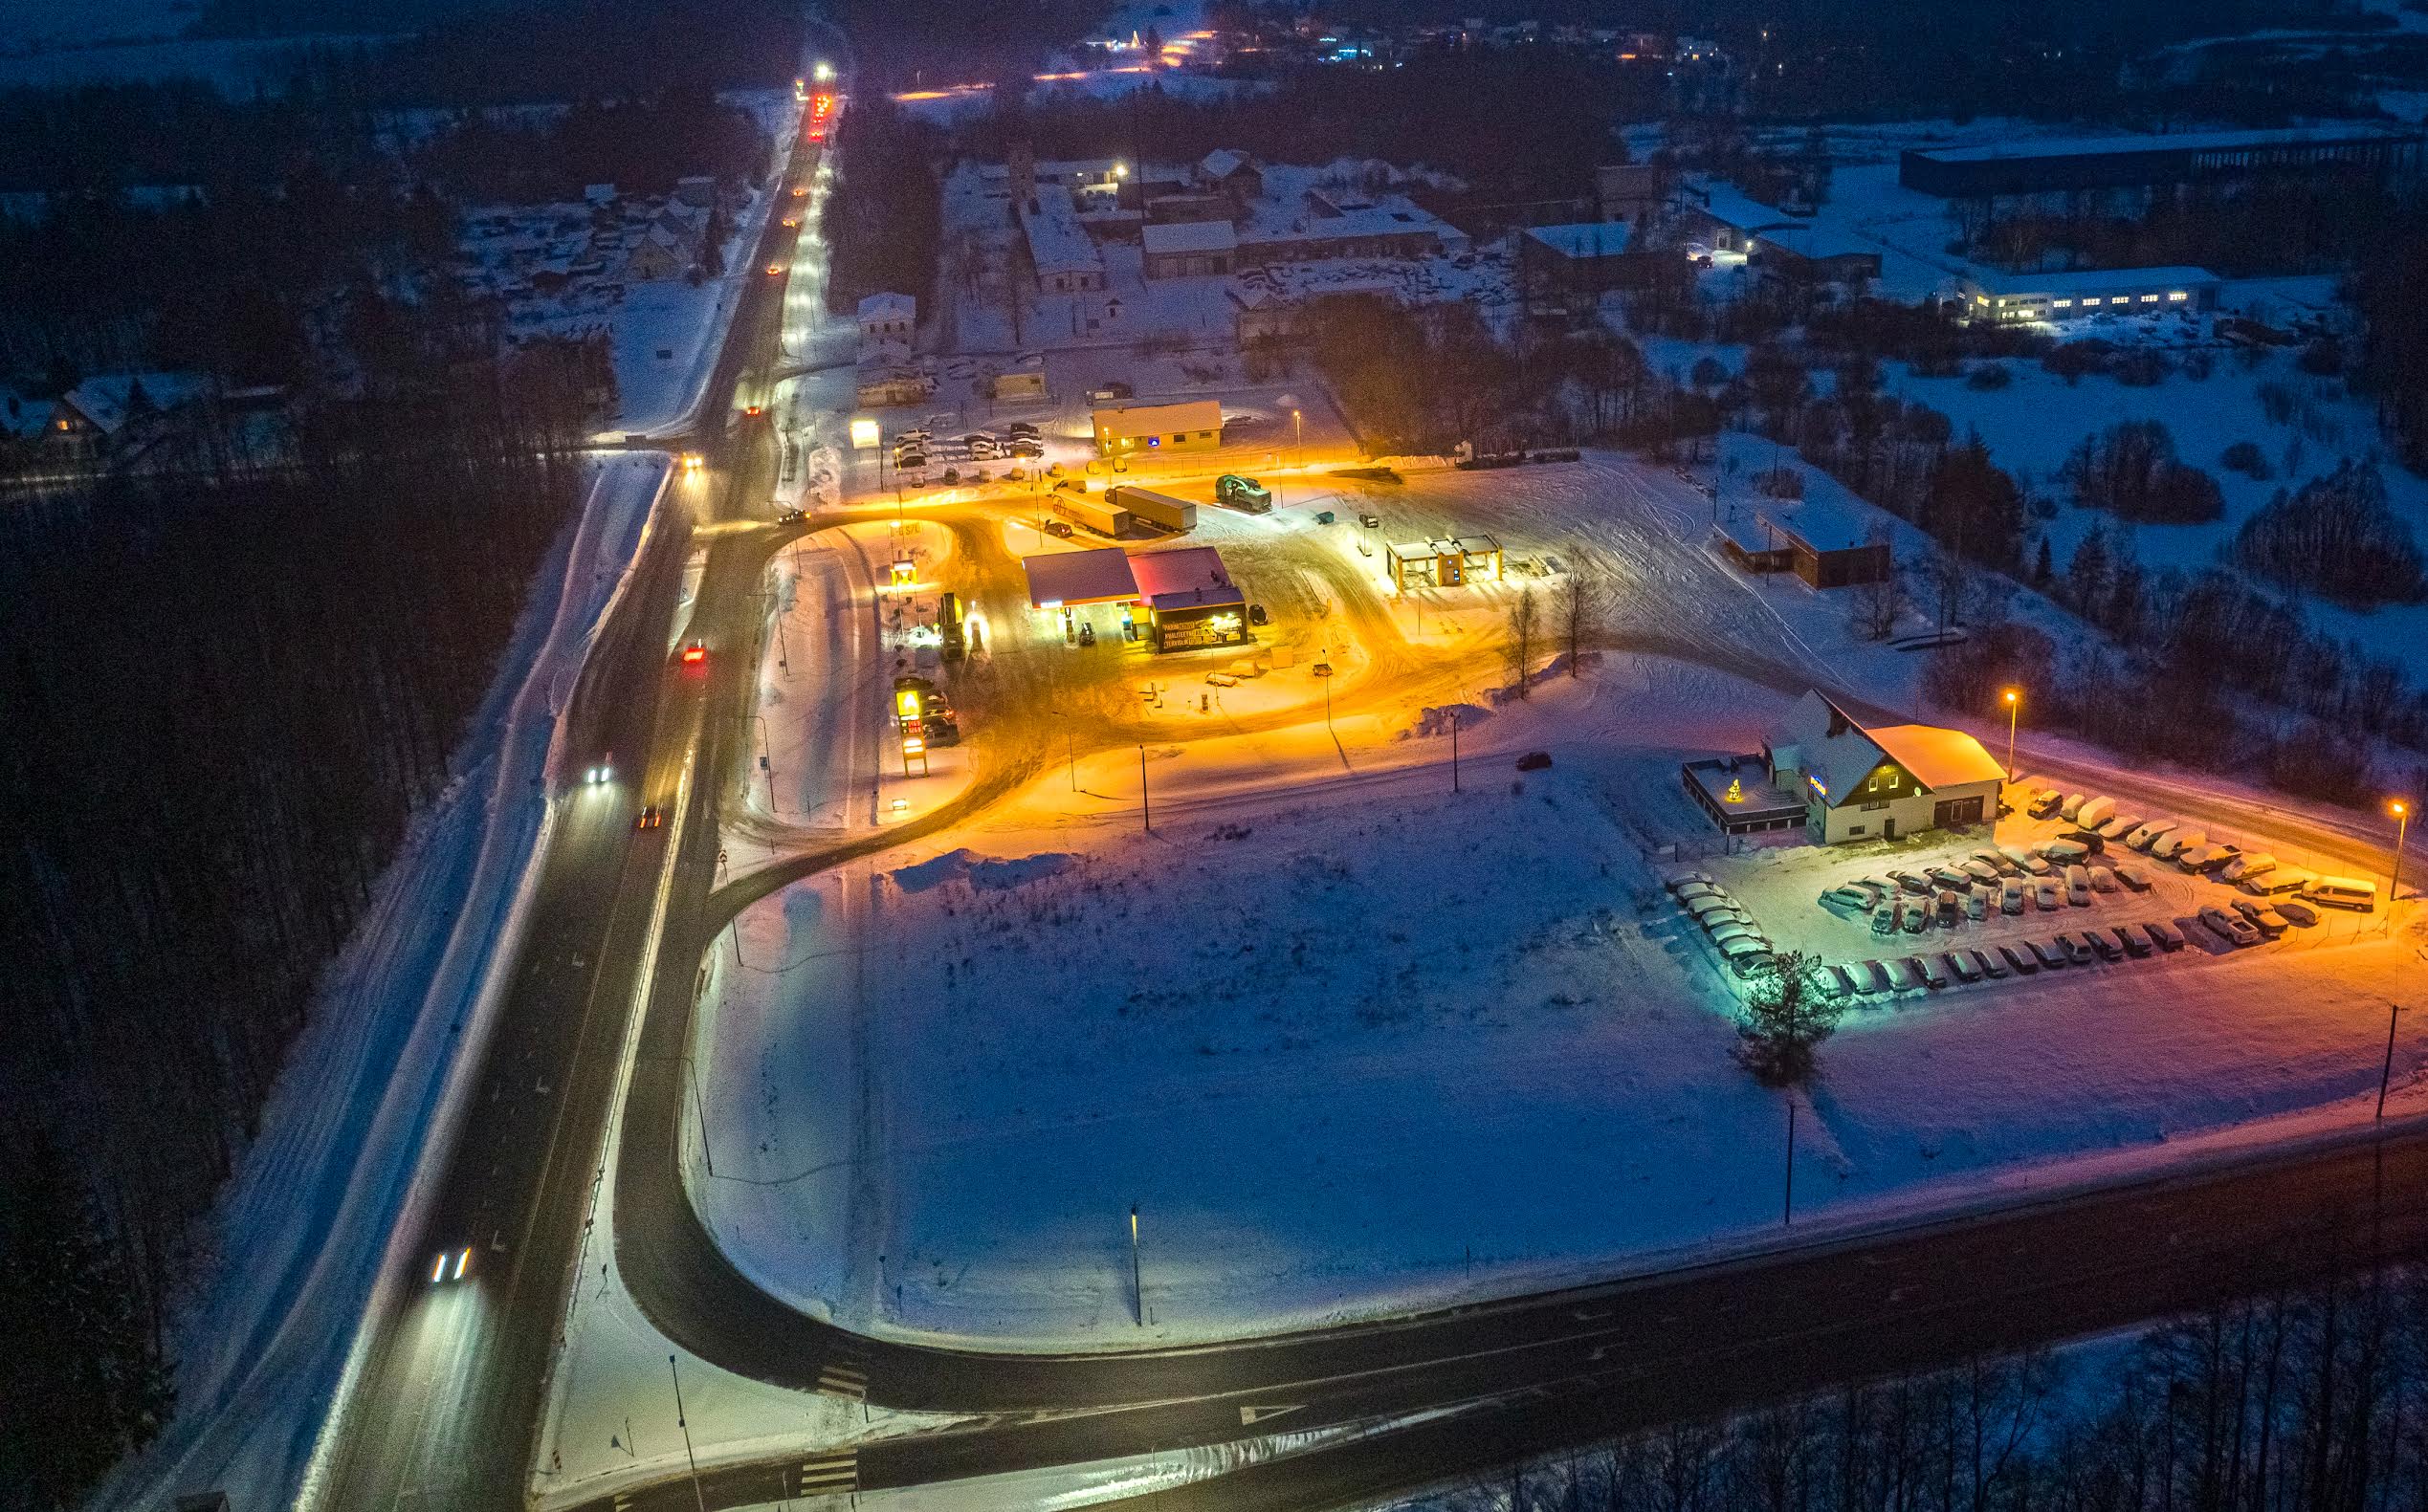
{"points": [[1388, 1047]]}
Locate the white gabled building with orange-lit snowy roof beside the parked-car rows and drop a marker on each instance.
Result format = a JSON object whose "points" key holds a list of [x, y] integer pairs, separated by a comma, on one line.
{"points": [[1880, 783]]}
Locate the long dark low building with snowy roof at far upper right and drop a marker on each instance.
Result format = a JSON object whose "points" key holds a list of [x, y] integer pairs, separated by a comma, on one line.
{"points": [[2152, 161]]}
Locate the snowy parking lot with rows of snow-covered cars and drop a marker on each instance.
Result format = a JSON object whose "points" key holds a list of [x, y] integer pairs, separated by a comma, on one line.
{"points": [[1987, 909]]}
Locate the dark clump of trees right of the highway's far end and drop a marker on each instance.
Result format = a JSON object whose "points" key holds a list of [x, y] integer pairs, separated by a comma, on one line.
{"points": [[885, 210]]}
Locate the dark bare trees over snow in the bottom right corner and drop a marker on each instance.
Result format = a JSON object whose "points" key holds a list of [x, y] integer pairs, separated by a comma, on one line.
{"points": [[2293, 1402]]}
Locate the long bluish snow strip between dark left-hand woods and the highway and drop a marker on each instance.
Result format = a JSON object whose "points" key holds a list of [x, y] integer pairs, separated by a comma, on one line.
{"points": [[305, 1227]]}
